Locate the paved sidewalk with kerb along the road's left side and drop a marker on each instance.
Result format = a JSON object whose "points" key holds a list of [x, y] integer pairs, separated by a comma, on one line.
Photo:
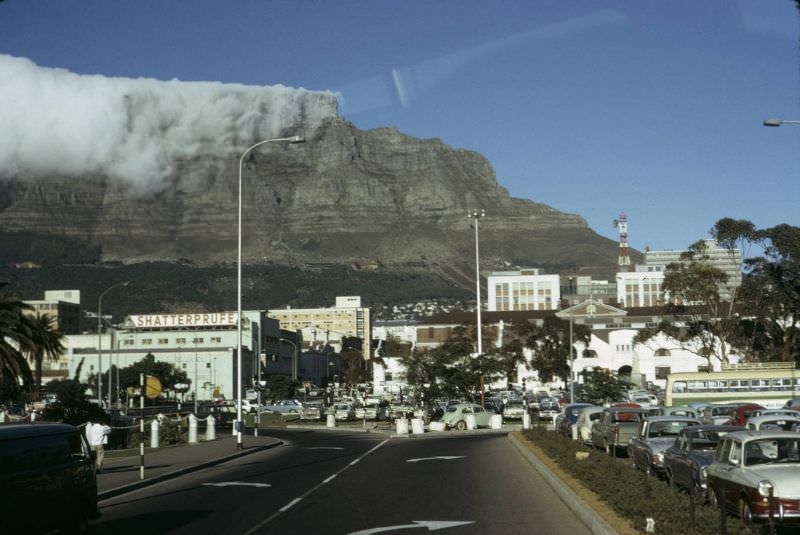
{"points": [[121, 474]]}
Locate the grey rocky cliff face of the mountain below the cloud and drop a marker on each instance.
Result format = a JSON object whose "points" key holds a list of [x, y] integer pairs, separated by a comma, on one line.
{"points": [[366, 198]]}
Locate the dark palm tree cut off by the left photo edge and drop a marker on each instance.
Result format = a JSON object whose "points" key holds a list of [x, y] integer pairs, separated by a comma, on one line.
{"points": [[14, 337]]}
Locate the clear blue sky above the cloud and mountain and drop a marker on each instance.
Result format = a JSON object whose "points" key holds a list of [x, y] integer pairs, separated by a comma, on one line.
{"points": [[645, 107]]}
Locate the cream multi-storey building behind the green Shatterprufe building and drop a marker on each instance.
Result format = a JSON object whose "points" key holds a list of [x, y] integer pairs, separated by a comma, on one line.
{"points": [[323, 326]]}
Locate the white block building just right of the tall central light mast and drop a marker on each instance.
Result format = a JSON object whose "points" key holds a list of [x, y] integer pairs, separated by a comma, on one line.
{"points": [[522, 290]]}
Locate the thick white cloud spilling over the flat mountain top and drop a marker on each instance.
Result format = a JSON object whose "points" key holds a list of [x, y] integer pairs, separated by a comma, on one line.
{"points": [[58, 122]]}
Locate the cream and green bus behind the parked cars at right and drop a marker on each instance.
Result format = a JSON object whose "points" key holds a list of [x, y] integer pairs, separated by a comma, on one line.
{"points": [[770, 384]]}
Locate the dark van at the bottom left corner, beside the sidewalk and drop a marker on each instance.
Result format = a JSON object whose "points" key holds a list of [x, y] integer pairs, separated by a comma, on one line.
{"points": [[49, 467]]}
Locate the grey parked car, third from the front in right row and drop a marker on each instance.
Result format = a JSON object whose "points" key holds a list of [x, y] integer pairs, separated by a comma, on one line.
{"points": [[654, 435]]}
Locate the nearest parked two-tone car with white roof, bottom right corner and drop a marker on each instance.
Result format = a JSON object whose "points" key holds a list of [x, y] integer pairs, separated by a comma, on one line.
{"points": [[750, 467]]}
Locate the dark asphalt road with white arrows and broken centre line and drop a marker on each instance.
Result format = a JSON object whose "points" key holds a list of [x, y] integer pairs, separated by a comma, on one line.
{"points": [[326, 482]]}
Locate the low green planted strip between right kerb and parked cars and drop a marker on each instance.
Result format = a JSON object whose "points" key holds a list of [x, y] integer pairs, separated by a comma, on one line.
{"points": [[630, 492]]}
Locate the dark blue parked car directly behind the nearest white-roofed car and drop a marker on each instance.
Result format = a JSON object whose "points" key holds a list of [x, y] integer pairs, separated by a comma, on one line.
{"points": [[686, 460]]}
